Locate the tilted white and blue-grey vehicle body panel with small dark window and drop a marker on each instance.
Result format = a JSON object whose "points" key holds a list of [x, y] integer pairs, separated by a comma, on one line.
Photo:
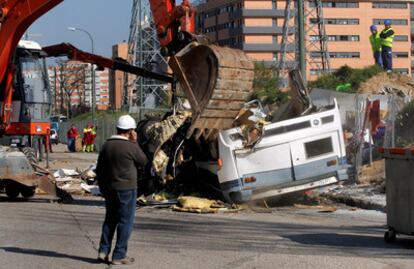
{"points": [[292, 155]]}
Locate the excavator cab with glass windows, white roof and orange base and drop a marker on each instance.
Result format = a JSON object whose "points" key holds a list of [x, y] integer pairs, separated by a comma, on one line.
{"points": [[31, 99]]}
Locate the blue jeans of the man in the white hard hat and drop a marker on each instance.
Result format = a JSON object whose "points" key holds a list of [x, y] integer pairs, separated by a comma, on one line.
{"points": [[120, 215]]}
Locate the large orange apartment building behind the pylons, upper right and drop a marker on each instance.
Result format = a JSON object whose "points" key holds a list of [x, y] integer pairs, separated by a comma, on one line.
{"points": [[256, 27]]}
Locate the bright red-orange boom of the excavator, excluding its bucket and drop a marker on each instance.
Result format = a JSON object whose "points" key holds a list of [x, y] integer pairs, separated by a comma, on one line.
{"points": [[16, 16]]}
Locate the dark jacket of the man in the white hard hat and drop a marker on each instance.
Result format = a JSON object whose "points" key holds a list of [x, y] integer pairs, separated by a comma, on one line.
{"points": [[118, 163]]}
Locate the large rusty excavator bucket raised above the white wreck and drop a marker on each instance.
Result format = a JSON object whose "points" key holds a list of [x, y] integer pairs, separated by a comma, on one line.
{"points": [[217, 81]]}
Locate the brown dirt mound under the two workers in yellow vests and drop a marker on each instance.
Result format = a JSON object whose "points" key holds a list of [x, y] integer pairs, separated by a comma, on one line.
{"points": [[388, 83]]}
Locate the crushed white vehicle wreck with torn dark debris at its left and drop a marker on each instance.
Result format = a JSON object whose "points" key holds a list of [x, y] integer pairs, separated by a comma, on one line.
{"points": [[303, 148]]}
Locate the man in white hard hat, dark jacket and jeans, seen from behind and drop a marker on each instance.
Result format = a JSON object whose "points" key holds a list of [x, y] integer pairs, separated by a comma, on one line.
{"points": [[117, 176]]}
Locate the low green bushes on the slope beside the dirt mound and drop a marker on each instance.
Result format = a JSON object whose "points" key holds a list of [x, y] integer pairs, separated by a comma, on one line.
{"points": [[344, 75]]}
